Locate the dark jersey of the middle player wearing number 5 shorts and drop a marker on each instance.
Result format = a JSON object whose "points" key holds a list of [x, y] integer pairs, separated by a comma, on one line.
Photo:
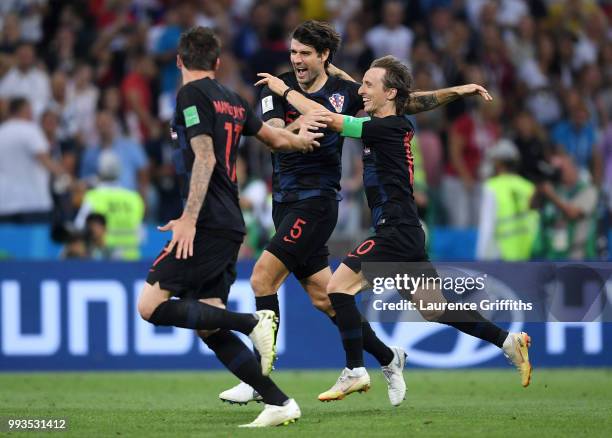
{"points": [[298, 176]]}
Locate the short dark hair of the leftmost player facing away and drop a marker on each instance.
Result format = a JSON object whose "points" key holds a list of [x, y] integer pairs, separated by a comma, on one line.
{"points": [[199, 48]]}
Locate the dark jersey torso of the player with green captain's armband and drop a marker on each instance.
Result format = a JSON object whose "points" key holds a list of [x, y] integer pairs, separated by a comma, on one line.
{"points": [[388, 171]]}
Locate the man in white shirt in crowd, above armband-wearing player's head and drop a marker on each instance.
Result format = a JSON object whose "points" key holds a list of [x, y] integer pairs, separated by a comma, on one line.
{"points": [[391, 37]]}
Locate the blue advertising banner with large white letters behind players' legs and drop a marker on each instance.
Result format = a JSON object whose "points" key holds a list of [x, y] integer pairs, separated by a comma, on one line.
{"points": [[82, 316]]}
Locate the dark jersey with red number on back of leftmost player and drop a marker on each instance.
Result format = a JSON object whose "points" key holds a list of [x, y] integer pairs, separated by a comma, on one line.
{"points": [[205, 107]]}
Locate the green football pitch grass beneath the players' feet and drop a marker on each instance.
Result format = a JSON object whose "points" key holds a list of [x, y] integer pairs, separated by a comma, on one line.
{"points": [[569, 402]]}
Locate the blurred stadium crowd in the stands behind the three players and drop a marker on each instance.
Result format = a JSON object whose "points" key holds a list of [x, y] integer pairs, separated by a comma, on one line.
{"points": [[82, 80]]}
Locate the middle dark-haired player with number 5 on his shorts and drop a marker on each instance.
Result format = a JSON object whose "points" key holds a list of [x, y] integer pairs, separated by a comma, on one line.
{"points": [[306, 193]]}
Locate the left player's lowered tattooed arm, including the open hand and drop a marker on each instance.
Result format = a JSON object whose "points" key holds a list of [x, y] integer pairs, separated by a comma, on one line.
{"points": [[183, 229]]}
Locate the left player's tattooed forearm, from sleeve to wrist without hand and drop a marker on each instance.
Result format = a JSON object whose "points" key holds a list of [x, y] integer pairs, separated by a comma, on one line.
{"points": [[202, 170]]}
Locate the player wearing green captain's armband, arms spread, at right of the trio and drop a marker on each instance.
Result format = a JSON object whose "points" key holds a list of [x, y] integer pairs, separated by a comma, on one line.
{"points": [[388, 179]]}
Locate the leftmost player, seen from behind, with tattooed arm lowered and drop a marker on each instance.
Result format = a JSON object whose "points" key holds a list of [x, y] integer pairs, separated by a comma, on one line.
{"points": [[198, 265]]}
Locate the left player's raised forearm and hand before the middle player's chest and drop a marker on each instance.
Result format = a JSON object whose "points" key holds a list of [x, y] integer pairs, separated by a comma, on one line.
{"points": [[278, 139]]}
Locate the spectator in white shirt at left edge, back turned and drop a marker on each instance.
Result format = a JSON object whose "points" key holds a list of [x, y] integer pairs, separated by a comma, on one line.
{"points": [[25, 167]]}
